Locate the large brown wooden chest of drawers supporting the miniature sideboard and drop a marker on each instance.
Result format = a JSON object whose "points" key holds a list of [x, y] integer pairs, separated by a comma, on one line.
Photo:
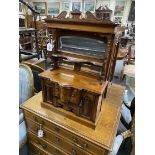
{"points": [[65, 136]]}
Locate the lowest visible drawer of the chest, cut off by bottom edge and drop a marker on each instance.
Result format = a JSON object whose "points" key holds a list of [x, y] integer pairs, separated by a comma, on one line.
{"points": [[36, 150]]}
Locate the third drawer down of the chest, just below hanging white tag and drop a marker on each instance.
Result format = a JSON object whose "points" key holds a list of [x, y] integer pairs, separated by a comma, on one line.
{"points": [[44, 145]]}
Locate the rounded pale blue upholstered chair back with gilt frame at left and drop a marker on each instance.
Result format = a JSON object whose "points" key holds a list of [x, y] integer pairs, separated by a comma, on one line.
{"points": [[26, 86]]}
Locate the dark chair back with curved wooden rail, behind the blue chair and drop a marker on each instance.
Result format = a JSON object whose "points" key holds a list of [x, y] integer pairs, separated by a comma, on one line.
{"points": [[36, 70]]}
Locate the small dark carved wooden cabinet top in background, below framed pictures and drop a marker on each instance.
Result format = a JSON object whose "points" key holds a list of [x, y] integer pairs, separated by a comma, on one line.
{"points": [[103, 12]]}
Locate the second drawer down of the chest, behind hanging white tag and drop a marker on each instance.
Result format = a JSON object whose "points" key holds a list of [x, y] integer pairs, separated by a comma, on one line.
{"points": [[56, 140]]}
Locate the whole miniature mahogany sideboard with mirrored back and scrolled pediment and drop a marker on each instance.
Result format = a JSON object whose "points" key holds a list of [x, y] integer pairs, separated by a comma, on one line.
{"points": [[83, 58]]}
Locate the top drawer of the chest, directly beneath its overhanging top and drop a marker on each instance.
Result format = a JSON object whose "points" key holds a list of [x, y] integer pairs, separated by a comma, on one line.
{"points": [[75, 139]]}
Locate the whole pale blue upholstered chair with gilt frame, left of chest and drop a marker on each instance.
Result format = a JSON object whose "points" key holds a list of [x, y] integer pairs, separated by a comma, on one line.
{"points": [[26, 90]]}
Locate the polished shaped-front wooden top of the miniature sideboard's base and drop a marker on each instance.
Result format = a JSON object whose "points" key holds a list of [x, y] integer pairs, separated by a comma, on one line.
{"points": [[71, 78]]}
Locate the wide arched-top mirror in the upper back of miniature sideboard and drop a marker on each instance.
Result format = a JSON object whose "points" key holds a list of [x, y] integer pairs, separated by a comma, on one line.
{"points": [[82, 45]]}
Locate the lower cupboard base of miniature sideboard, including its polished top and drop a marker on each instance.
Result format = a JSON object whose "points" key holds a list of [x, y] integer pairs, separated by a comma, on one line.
{"points": [[73, 93]]}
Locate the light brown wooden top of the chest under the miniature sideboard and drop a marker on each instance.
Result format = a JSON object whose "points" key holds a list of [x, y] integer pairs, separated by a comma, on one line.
{"points": [[104, 133]]}
